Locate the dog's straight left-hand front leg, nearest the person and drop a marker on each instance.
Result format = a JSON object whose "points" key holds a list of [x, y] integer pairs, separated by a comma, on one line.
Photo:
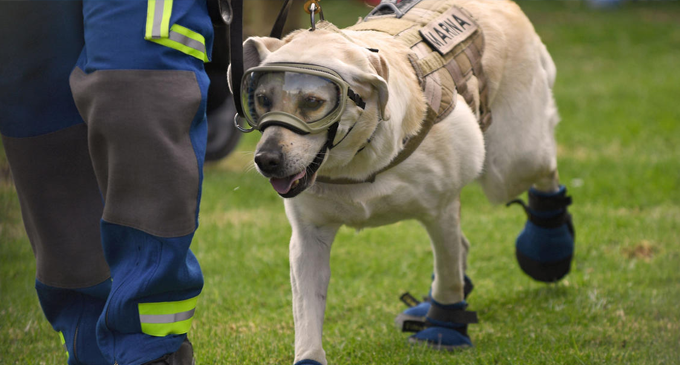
{"points": [[310, 248]]}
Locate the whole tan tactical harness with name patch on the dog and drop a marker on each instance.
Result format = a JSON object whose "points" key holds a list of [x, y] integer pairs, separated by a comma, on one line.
{"points": [[446, 54]]}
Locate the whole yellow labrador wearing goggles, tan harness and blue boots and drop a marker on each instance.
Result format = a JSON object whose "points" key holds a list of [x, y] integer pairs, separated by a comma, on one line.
{"points": [[342, 115]]}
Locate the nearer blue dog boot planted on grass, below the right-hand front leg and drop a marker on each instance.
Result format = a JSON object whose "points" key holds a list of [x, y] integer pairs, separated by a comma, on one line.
{"points": [[446, 327]]}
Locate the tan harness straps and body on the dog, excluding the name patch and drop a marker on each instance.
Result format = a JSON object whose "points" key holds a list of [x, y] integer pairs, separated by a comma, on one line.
{"points": [[434, 70]]}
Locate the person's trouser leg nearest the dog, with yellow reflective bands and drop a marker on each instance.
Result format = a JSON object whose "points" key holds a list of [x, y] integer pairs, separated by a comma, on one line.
{"points": [[144, 101]]}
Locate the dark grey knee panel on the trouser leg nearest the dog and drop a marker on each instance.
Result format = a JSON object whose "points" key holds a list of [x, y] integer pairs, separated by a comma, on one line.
{"points": [[139, 136]]}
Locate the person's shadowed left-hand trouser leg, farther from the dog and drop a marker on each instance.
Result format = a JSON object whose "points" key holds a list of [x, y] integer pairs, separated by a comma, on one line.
{"points": [[45, 141]]}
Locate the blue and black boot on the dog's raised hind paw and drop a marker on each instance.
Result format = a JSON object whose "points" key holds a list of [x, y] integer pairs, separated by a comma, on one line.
{"points": [[545, 247]]}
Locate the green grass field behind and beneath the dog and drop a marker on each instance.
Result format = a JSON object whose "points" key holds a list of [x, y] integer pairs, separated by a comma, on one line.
{"points": [[618, 91]]}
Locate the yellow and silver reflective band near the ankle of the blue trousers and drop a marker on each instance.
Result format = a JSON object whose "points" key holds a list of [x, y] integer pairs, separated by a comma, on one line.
{"points": [[154, 317]]}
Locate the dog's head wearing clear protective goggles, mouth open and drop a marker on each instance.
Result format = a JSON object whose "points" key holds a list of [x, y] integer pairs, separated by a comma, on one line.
{"points": [[319, 117]]}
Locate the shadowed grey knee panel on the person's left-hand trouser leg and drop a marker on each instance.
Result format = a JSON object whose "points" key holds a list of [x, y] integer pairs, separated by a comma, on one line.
{"points": [[61, 206]]}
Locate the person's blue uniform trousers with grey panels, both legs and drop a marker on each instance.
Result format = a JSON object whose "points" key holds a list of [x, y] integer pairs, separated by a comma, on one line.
{"points": [[103, 124]]}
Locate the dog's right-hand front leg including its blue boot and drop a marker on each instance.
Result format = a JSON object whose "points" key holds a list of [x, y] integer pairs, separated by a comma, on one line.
{"points": [[446, 320]]}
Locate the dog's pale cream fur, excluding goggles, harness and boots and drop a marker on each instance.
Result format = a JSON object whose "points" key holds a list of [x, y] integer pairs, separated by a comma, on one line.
{"points": [[517, 151]]}
